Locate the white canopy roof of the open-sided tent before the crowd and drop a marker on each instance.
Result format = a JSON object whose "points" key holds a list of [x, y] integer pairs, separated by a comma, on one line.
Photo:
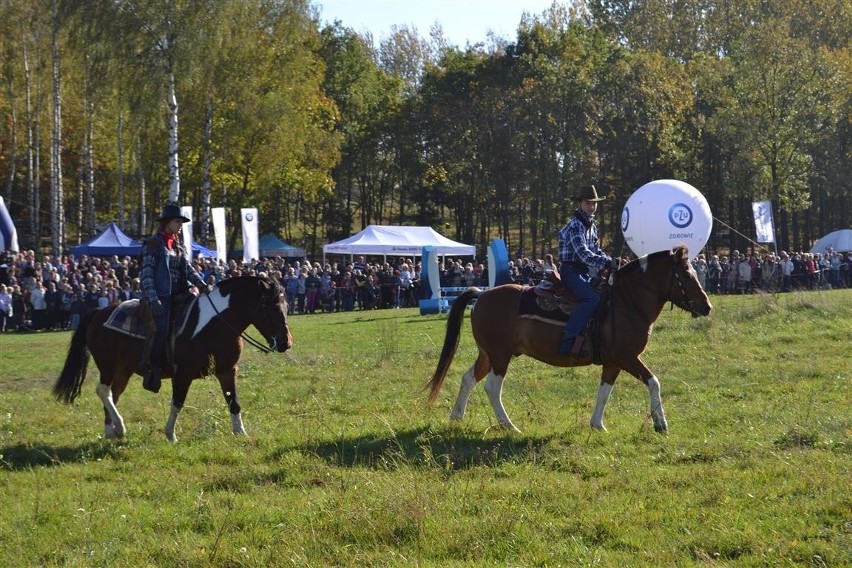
{"points": [[398, 241]]}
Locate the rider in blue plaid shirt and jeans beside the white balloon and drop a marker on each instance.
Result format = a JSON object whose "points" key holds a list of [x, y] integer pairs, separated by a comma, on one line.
{"points": [[581, 258]]}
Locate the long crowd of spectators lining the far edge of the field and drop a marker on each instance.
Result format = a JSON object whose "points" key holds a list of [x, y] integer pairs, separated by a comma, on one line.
{"points": [[53, 293]]}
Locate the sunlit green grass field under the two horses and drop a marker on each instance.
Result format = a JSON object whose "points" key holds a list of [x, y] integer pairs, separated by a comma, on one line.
{"points": [[345, 466]]}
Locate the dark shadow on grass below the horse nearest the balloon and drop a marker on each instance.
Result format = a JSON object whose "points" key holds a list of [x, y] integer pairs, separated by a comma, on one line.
{"points": [[422, 447]]}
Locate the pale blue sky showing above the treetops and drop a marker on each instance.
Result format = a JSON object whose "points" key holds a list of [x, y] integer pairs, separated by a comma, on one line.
{"points": [[463, 21]]}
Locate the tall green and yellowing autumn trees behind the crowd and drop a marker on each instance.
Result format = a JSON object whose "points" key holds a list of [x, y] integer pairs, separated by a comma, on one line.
{"points": [[113, 107]]}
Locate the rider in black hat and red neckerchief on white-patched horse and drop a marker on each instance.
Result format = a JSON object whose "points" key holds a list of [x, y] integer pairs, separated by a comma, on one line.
{"points": [[165, 272]]}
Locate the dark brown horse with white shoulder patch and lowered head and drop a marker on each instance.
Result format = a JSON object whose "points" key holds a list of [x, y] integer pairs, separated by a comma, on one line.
{"points": [[210, 341]]}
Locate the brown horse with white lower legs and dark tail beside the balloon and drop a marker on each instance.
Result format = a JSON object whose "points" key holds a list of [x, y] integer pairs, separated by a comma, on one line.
{"points": [[638, 294]]}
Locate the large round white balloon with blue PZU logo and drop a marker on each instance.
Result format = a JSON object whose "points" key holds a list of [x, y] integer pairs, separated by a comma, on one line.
{"points": [[663, 214]]}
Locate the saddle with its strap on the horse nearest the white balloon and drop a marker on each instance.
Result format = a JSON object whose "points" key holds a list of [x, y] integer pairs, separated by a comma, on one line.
{"points": [[553, 302]]}
